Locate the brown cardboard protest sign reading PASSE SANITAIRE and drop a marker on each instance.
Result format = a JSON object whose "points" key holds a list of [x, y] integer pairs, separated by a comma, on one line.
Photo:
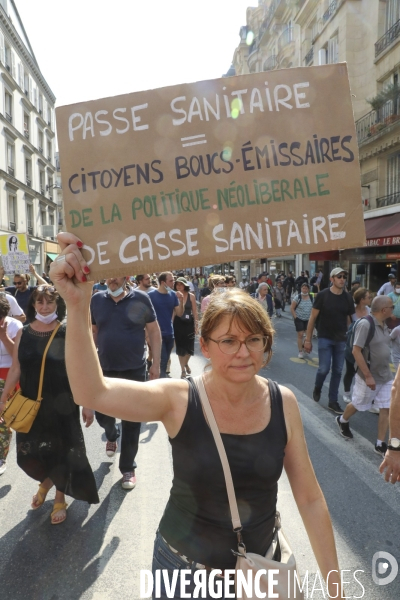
{"points": [[242, 167]]}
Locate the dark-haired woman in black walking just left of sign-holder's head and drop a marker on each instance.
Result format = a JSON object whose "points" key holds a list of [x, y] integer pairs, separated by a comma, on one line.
{"points": [[185, 327]]}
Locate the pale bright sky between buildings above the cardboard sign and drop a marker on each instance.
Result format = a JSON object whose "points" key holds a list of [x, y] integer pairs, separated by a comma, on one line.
{"points": [[89, 49]]}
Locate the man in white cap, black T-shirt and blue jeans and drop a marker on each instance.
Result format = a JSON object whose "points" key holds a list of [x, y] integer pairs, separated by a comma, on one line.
{"points": [[333, 307]]}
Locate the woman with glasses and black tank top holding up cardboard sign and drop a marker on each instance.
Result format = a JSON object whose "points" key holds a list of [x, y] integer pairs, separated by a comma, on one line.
{"points": [[259, 420]]}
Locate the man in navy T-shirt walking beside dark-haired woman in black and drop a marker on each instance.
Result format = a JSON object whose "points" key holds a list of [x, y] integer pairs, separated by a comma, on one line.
{"points": [[167, 303]]}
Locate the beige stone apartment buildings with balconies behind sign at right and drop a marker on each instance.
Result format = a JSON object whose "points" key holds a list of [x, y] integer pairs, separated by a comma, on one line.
{"points": [[365, 34]]}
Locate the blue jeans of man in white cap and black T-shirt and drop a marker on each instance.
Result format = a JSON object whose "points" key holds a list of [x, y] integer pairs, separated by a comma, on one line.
{"points": [[329, 352]]}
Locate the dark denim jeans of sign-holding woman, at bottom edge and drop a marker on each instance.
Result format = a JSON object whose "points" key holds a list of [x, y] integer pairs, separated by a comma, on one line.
{"points": [[164, 558]]}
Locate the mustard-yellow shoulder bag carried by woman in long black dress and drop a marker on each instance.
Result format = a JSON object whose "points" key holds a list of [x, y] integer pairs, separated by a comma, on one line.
{"points": [[20, 411]]}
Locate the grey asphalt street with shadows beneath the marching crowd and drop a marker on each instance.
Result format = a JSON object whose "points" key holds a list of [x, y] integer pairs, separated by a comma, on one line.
{"points": [[98, 552]]}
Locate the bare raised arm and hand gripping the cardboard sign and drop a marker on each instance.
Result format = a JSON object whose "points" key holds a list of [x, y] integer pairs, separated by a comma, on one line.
{"points": [[159, 400]]}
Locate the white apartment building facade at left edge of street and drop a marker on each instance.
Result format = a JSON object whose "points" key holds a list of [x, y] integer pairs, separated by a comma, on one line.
{"points": [[27, 143]]}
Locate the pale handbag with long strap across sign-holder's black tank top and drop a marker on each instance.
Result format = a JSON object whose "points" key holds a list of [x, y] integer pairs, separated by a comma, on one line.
{"points": [[284, 579]]}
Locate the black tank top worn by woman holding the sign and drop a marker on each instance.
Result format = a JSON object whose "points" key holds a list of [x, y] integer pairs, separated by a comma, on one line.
{"points": [[196, 520]]}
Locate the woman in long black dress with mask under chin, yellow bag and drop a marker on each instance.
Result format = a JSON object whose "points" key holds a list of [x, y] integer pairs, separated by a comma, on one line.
{"points": [[53, 452]]}
